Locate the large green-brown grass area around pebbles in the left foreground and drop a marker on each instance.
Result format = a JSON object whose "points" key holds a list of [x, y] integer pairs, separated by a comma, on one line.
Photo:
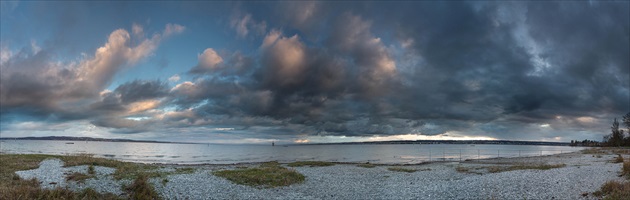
{"points": [[12, 187]]}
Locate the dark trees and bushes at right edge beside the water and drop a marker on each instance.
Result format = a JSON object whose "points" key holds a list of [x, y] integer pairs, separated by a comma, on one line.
{"points": [[616, 138]]}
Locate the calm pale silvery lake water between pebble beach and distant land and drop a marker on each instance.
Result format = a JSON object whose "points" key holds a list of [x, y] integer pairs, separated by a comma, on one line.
{"points": [[229, 154]]}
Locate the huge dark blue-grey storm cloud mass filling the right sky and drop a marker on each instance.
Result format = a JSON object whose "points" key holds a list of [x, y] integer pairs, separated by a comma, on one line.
{"points": [[480, 64]]}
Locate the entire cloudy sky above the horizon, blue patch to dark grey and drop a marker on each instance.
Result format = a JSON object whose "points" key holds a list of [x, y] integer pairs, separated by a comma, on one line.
{"points": [[307, 71]]}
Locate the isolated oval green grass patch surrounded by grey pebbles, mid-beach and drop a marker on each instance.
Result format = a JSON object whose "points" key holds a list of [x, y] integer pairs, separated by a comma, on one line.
{"points": [[268, 175]]}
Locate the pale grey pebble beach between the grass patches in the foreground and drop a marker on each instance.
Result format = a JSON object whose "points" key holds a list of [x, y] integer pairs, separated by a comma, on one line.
{"points": [[583, 173]]}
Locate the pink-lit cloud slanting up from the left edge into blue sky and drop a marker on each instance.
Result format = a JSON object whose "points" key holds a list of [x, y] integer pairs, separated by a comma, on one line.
{"points": [[37, 82]]}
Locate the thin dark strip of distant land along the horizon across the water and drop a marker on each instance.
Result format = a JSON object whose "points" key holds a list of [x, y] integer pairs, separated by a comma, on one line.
{"points": [[471, 142]]}
